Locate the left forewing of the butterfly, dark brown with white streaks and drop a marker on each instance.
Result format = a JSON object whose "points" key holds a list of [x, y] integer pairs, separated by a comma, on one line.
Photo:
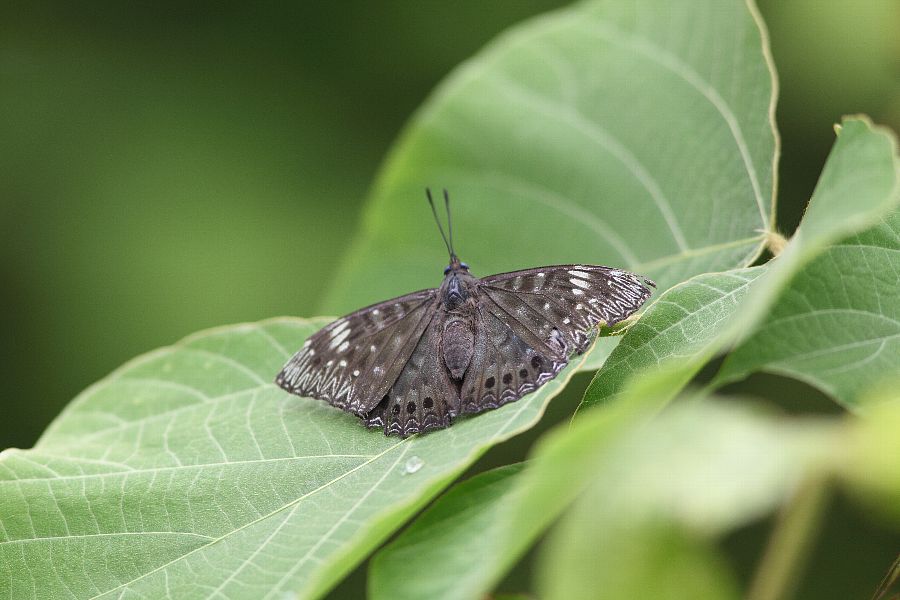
{"points": [[354, 361]]}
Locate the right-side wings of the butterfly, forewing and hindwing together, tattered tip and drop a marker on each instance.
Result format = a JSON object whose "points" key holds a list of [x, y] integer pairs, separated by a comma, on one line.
{"points": [[530, 322]]}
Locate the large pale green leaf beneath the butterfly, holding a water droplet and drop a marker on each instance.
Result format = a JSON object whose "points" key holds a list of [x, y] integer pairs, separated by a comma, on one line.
{"points": [[187, 473]]}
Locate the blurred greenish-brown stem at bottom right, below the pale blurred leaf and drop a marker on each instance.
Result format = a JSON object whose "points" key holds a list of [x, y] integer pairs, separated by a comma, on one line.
{"points": [[785, 555]]}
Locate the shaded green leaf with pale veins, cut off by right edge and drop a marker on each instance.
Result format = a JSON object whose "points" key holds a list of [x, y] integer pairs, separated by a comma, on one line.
{"points": [[837, 325]]}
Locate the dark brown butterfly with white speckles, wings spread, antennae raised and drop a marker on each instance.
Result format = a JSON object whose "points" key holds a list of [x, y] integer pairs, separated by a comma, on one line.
{"points": [[414, 363]]}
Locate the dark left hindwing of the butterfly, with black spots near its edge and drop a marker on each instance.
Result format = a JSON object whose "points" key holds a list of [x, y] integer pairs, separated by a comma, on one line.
{"points": [[424, 397]]}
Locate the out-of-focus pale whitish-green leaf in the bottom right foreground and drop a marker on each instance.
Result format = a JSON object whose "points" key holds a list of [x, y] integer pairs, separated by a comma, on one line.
{"points": [[669, 487]]}
